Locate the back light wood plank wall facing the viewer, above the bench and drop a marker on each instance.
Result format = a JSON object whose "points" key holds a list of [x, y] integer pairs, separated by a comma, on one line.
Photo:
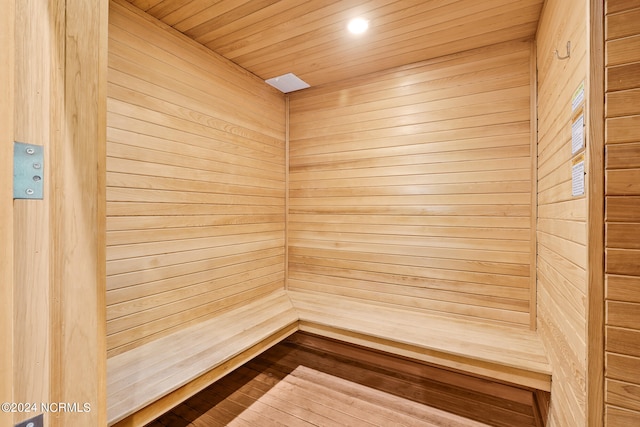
{"points": [[413, 186]]}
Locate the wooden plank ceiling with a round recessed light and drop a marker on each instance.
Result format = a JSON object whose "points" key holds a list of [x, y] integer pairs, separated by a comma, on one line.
{"points": [[309, 38]]}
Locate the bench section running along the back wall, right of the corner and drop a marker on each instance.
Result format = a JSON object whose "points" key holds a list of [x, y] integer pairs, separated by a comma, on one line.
{"points": [[495, 351]]}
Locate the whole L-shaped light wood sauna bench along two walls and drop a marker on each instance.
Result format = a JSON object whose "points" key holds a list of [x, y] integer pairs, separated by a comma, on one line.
{"points": [[149, 380]]}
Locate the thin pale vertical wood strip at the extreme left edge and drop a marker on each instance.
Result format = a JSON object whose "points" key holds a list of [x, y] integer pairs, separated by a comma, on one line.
{"points": [[6, 206]]}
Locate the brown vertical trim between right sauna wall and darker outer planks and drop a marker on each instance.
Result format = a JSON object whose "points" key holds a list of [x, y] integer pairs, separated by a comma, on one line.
{"points": [[595, 216]]}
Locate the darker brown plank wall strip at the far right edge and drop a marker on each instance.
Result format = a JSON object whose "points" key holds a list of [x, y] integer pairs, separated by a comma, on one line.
{"points": [[622, 168]]}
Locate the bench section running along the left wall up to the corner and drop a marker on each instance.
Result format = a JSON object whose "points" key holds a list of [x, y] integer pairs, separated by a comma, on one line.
{"points": [[145, 382]]}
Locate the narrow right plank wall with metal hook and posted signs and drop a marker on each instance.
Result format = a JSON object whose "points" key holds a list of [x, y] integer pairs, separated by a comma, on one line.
{"points": [[561, 228]]}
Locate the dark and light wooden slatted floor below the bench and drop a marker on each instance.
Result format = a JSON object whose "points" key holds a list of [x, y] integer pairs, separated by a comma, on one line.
{"points": [[310, 381]]}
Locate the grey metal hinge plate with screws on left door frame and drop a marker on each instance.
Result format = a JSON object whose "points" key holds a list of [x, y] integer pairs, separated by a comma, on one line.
{"points": [[28, 171]]}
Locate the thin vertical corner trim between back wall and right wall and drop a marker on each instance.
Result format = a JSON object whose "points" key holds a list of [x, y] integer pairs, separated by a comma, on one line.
{"points": [[533, 268]]}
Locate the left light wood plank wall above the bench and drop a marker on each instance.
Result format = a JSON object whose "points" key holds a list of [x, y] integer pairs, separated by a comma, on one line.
{"points": [[195, 184]]}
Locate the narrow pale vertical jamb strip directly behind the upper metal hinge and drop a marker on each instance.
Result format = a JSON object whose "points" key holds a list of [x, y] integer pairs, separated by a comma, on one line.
{"points": [[34, 50]]}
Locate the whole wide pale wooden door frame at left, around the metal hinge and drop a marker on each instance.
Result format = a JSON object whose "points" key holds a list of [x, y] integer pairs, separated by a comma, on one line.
{"points": [[58, 281]]}
